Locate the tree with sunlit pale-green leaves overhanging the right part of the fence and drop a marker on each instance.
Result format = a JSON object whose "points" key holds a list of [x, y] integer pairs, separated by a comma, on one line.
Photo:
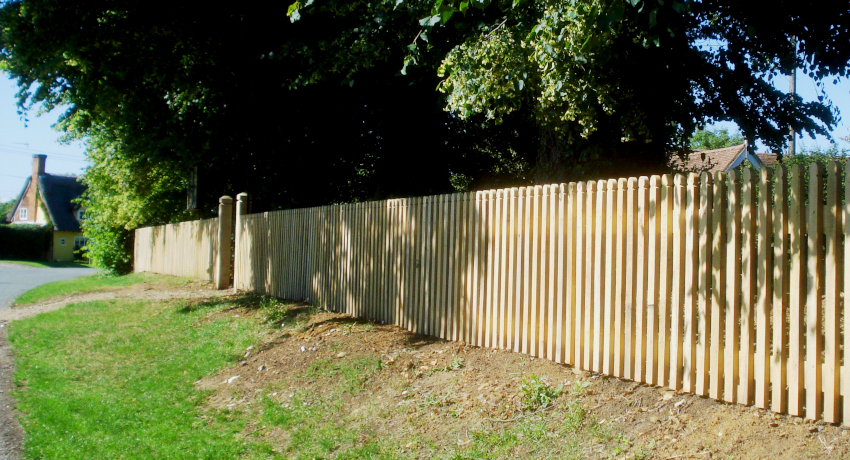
{"points": [[607, 74]]}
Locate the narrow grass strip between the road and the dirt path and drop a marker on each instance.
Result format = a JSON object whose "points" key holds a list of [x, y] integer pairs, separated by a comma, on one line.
{"points": [[91, 283]]}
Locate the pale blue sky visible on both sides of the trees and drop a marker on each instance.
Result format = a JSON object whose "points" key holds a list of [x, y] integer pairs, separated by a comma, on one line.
{"points": [[19, 140]]}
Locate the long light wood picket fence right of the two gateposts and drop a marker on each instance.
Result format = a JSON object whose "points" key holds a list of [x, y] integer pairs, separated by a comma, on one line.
{"points": [[727, 286]]}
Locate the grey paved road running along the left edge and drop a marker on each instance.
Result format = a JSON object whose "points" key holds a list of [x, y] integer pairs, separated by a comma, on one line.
{"points": [[15, 279]]}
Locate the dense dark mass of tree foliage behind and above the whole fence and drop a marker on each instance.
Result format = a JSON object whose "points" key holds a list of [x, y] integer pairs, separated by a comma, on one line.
{"points": [[336, 100]]}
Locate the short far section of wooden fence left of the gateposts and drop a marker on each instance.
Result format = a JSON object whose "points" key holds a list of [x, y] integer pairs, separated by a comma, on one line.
{"points": [[185, 249]]}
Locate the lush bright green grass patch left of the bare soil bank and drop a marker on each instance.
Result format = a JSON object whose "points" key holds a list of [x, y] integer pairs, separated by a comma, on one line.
{"points": [[114, 379]]}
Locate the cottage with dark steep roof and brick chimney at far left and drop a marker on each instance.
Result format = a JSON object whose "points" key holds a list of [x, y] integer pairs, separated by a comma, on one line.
{"points": [[48, 199]]}
